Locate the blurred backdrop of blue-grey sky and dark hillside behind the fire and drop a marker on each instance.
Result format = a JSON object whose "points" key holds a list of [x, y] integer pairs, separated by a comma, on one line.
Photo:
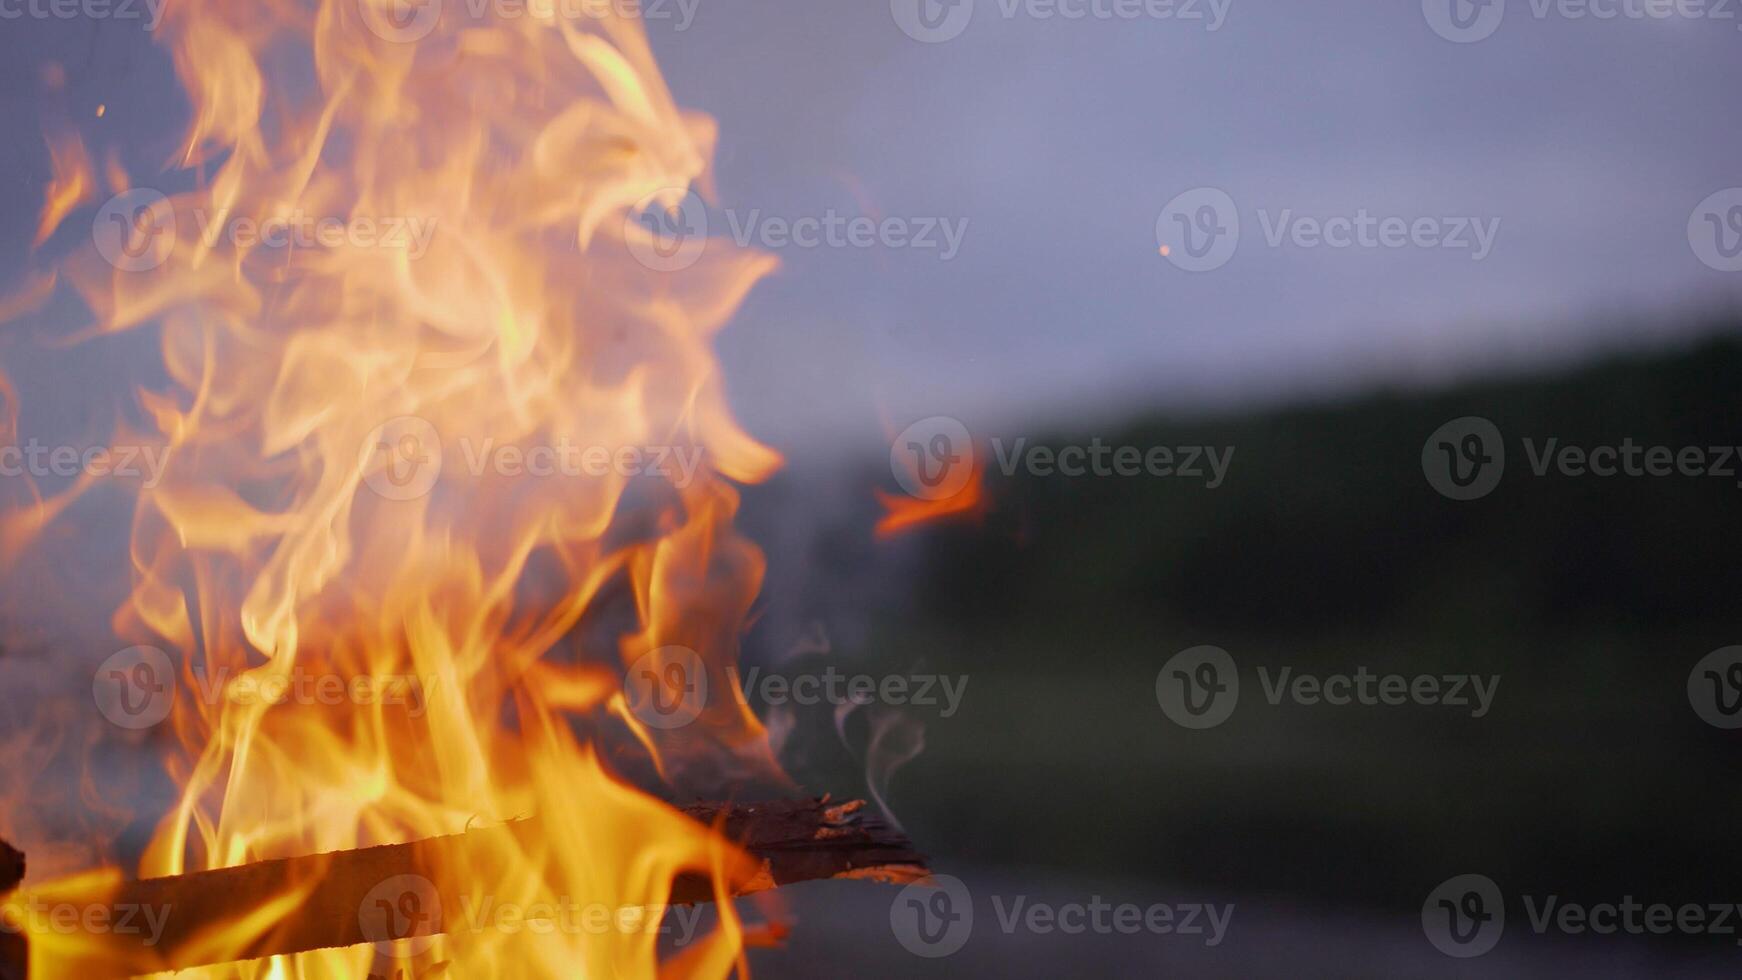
{"points": [[1577, 281]]}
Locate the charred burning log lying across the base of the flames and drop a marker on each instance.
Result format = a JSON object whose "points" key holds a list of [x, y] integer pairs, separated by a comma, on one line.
{"points": [[787, 843]]}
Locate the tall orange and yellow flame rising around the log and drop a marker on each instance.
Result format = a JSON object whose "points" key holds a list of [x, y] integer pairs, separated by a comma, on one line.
{"points": [[321, 513]]}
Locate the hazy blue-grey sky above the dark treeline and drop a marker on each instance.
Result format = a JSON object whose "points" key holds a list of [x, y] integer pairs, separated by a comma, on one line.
{"points": [[1036, 158]]}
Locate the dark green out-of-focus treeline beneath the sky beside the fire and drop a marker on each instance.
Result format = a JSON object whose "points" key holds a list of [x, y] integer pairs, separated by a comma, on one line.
{"points": [[1328, 551]]}
